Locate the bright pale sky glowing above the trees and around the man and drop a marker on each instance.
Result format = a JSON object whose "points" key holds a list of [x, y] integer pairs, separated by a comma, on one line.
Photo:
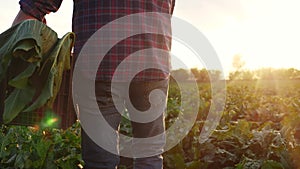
{"points": [[265, 33]]}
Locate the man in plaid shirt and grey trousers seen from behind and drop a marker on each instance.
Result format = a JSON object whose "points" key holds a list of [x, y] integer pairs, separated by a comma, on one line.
{"points": [[90, 16]]}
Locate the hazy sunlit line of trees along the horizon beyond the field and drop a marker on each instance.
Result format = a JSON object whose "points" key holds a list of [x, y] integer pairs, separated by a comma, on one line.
{"points": [[204, 75]]}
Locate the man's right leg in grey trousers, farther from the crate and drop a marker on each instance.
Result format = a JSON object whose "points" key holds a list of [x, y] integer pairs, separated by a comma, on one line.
{"points": [[139, 95]]}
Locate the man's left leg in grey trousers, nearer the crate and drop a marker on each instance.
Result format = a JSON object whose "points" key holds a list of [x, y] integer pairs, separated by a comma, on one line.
{"points": [[93, 155]]}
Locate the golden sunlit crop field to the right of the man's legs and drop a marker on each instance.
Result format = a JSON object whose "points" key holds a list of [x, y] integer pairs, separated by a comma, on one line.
{"points": [[257, 130]]}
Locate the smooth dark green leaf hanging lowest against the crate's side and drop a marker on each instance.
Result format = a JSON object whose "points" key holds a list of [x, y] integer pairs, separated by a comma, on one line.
{"points": [[16, 102]]}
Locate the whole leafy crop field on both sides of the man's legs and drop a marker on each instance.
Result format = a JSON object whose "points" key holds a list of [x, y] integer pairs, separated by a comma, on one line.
{"points": [[259, 128]]}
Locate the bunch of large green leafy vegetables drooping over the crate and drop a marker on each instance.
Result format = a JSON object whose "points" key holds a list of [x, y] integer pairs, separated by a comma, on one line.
{"points": [[32, 61]]}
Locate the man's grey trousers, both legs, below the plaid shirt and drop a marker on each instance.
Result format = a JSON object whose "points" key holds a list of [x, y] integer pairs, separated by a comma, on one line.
{"points": [[96, 157]]}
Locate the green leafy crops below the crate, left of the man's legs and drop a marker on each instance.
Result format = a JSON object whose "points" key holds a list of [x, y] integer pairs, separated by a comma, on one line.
{"points": [[28, 147]]}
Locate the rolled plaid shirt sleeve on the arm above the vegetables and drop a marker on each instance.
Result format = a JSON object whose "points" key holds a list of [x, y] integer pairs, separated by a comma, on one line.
{"points": [[39, 8]]}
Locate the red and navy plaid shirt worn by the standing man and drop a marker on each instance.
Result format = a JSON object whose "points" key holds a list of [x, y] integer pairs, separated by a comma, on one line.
{"points": [[91, 15]]}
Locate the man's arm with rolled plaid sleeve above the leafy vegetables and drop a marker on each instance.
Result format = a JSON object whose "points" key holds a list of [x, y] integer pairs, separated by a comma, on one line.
{"points": [[36, 9]]}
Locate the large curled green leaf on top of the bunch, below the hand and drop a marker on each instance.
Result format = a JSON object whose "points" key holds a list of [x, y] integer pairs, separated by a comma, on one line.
{"points": [[29, 40]]}
